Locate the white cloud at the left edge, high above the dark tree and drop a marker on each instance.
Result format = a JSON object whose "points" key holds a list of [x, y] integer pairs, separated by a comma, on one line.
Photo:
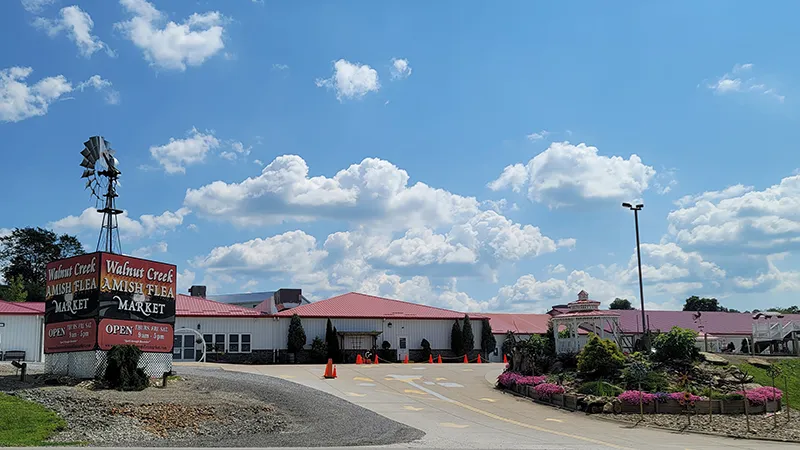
{"points": [[20, 101]]}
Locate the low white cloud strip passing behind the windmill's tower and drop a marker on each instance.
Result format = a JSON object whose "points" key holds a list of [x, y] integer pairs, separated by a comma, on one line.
{"points": [[147, 225]]}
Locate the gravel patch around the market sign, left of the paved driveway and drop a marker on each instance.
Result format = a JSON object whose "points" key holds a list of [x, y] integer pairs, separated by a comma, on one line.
{"points": [[209, 408]]}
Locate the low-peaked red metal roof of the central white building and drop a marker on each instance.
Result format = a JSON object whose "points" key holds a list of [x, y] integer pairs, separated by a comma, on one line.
{"points": [[355, 305]]}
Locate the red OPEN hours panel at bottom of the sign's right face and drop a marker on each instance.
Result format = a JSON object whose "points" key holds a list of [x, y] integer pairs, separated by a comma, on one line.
{"points": [[149, 337]]}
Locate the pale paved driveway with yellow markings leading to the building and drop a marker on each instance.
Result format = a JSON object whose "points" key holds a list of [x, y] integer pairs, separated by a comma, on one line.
{"points": [[457, 407]]}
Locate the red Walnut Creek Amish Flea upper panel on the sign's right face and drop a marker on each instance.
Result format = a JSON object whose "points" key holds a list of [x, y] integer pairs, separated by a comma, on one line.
{"points": [[124, 274]]}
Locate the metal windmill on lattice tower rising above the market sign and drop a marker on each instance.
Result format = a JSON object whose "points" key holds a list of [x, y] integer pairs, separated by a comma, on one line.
{"points": [[101, 173]]}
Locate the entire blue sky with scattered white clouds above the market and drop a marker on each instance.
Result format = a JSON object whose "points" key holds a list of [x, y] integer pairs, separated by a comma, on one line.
{"points": [[467, 155]]}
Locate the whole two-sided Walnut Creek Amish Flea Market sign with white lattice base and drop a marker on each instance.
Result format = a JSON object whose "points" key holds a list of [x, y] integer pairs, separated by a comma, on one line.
{"points": [[99, 300]]}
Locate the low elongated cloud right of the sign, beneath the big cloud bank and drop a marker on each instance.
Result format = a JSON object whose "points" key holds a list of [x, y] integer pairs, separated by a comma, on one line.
{"points": [[293, 252]]}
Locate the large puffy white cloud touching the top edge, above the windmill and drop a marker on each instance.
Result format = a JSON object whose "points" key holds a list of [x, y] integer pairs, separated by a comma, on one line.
{"points": [[169, 45]]}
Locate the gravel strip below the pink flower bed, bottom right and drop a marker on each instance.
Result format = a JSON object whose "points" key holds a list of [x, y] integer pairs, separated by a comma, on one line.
{"points": [[761, 426]]}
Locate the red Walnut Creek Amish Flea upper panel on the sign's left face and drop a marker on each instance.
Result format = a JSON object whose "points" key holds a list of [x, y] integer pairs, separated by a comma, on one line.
{"points": [[72, 276]]}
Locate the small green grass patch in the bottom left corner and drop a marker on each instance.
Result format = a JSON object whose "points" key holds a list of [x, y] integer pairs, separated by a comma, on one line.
{"points": [[24, 423]]}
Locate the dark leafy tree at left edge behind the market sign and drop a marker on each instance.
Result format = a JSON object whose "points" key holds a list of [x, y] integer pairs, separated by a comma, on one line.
{"points": [[27, 251]]}
